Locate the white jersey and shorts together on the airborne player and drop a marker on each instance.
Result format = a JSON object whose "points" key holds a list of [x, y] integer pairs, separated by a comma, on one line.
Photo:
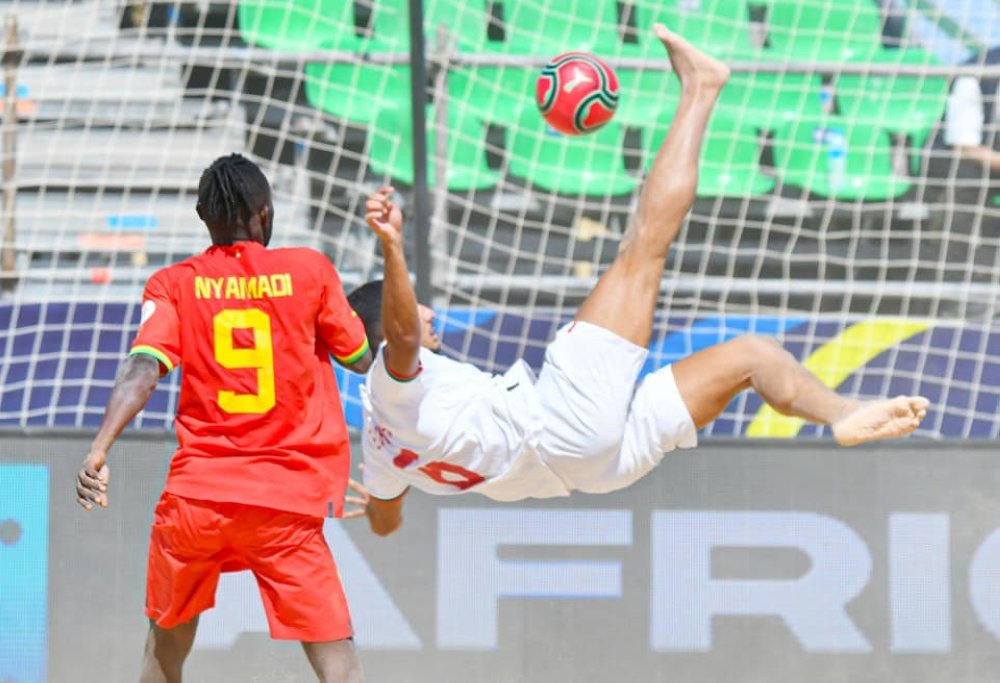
{"points": [[584, 425]]}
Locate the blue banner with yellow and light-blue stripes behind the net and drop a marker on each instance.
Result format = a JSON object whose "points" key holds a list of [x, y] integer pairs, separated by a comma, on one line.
{"points": [[59, 361]]}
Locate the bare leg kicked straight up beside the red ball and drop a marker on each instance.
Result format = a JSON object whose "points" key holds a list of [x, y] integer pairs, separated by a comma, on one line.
{"points": [[624, 299]]}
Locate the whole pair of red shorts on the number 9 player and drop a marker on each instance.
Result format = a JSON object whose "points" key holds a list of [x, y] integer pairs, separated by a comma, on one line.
{"points": [[194, 540]]}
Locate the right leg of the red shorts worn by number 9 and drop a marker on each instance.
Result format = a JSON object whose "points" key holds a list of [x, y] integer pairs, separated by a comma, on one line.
{"points": [[297, 576]]}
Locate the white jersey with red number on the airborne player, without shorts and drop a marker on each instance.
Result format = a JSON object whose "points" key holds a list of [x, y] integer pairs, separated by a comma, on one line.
{"points": [[454, 428]]}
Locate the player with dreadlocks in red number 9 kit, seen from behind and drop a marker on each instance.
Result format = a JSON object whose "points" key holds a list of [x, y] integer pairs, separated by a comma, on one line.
{"points": [[262, 451]]}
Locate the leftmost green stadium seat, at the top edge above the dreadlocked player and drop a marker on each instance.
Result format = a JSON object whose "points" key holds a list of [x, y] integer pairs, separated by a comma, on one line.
{"points": [[299, 24]]}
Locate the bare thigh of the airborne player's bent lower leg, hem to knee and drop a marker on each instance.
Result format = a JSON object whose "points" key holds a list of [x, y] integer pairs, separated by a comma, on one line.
{"points": [[709, 379]]}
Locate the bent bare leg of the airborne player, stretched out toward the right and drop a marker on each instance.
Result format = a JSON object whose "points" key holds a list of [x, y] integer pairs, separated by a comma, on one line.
{"points": [[709, 379]]}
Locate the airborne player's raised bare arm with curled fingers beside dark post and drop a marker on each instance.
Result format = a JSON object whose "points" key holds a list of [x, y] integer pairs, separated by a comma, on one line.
{"points": [[401, 326]]}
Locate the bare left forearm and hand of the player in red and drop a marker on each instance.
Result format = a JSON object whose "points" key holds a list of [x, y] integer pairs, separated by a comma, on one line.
{"points": [[133, 387]]}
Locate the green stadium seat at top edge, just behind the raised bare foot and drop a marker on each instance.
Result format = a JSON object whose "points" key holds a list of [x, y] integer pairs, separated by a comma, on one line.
{"points": [[720, 27]]}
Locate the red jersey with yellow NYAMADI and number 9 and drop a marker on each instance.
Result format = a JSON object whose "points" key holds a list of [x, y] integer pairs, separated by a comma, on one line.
{"points": [[259, 419]]}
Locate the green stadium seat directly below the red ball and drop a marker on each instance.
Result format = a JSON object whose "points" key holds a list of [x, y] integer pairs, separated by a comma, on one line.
{"points": [[579, 165]]}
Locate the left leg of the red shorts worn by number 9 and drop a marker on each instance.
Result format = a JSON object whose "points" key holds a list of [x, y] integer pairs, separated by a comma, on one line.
{"points": [[186, 548]]}
